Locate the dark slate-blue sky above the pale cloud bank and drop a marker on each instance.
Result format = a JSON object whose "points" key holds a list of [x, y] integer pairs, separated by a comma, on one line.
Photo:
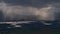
{"points": [[33, 3]]}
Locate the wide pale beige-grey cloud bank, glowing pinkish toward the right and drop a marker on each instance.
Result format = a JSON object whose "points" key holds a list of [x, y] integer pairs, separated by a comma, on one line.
{"points": [[45, 12]]}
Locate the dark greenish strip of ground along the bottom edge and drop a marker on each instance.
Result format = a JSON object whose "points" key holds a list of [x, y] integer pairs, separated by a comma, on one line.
{"points": [[30, 31]]}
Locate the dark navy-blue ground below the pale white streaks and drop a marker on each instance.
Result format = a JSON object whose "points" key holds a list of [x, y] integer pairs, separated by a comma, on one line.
{"points": [[33, 28]]}
